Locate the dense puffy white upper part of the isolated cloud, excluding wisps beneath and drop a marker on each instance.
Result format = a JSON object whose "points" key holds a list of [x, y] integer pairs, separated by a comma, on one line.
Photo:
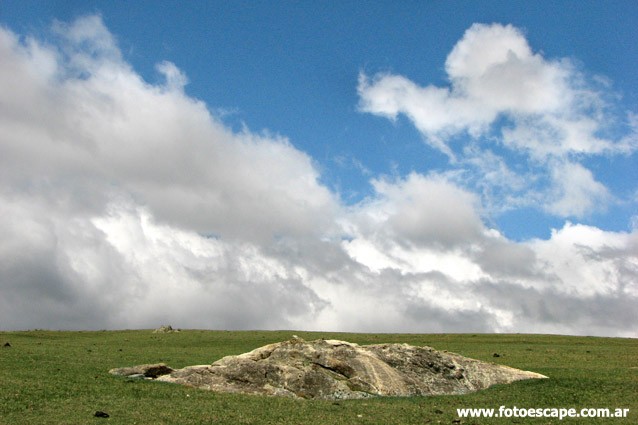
{"points": [[492, 71]]}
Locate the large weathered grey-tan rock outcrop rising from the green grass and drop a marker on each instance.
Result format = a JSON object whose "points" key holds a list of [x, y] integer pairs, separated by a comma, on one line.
{"points": [[331, 369]]}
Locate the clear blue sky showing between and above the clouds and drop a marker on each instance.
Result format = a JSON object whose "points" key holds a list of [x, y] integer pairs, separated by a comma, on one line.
{"points": [[292, 69]]}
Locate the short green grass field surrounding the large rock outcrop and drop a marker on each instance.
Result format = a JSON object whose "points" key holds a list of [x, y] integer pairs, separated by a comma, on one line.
{"points": [[62, 378]]}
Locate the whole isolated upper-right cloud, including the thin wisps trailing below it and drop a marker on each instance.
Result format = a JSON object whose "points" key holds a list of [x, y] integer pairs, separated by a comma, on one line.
{"points": [[502, 92]]}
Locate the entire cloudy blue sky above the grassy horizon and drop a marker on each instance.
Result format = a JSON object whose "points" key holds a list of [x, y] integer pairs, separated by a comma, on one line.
{"points": [[337, 166]]}
